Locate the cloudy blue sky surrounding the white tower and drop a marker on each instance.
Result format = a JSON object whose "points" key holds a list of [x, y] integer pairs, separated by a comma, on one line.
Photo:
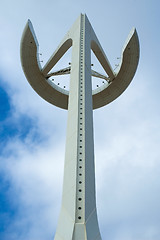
{"points": [[126, 132]]}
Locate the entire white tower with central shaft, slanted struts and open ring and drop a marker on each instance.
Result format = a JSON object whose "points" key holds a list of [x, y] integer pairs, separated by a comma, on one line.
{"points": [[78, 215]]}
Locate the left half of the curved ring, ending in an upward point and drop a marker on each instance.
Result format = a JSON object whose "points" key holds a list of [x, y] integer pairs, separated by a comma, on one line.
{"points": [[32, 69]]}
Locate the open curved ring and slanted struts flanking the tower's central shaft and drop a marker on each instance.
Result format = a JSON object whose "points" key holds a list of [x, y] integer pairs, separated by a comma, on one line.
{"points": [[38, 77]]}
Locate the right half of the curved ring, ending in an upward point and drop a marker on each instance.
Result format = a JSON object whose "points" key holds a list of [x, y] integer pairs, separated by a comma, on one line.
{"points": [[130, 57]]}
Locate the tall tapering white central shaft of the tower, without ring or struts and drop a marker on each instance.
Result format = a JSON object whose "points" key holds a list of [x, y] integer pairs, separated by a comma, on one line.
{"points": [[78, 216]]}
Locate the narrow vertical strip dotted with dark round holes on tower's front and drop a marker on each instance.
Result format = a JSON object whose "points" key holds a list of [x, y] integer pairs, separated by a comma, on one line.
{"points": [[80, 189]]}
